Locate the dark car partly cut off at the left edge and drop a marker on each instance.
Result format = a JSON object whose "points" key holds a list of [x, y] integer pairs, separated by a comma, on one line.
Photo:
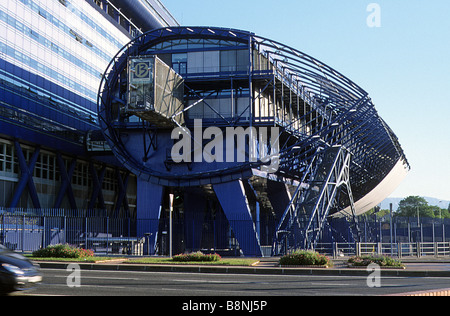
{"points": [[17, 273]]}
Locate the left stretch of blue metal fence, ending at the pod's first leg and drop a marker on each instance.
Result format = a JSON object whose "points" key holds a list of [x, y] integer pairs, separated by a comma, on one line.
{"points": [[27, 233]]}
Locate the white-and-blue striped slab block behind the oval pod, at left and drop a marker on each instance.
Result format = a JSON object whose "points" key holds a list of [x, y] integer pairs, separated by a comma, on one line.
{"points": [[52, 57]]}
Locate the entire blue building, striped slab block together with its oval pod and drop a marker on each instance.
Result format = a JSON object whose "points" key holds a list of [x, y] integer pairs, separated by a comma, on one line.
{"points": [[110, 108]]}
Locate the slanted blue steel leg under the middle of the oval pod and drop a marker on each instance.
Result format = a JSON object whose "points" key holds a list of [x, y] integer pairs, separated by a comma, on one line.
{"points": [[234, 203]]}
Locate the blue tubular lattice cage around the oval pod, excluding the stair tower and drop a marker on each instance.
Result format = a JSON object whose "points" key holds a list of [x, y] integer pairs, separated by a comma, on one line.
{"points": [[335, 110]]}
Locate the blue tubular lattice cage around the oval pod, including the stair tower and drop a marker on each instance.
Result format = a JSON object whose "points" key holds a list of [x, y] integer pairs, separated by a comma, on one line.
{"points": [[328, 124]]}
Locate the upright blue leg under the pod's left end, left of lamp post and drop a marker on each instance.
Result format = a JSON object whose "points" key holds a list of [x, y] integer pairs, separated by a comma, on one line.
{"points": [[148, 212]]}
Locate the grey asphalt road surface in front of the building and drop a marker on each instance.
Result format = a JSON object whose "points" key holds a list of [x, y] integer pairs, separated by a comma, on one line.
{"points": [[59, 282]]}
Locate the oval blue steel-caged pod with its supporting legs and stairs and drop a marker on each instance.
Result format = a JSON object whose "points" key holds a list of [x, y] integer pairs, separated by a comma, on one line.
{"points": [[242, 127]]}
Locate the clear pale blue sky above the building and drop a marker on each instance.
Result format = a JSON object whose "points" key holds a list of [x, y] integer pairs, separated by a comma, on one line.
{"points": [[404, 65]]}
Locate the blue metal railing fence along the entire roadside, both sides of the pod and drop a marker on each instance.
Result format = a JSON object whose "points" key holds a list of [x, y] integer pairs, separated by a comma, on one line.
{"points": [[26, 231]]}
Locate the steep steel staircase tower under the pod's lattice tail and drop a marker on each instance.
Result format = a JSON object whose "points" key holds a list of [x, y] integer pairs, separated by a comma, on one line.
{"points": [[323, 183]]}
